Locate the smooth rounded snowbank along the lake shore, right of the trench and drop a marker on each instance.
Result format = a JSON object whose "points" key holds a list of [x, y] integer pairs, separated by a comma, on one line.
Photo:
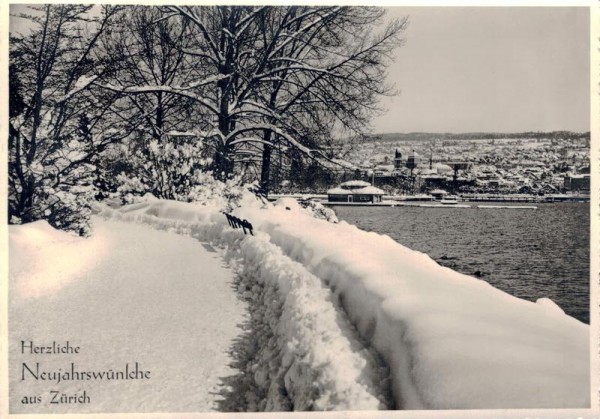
{"points": [[451, 341]]}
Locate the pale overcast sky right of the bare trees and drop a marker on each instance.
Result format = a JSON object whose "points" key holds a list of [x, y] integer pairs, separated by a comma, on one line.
{"points": [[491, 69]]}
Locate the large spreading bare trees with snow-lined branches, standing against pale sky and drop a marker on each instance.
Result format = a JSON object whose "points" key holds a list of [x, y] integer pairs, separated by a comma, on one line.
{"points": [[266, 68]]}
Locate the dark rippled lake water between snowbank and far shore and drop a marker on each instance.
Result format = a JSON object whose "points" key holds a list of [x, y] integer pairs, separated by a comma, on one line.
{"points": [[527, 253]]}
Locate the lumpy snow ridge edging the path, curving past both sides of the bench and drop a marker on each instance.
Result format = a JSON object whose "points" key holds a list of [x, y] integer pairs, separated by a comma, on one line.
{"points": [[306, 355]]}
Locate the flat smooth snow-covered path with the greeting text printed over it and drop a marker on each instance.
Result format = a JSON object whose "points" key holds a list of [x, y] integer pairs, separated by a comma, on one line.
{"points": [[159, 299]]}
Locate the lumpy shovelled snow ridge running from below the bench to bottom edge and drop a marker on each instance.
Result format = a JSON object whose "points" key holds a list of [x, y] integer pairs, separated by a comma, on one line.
{"points": [[309, 358]]}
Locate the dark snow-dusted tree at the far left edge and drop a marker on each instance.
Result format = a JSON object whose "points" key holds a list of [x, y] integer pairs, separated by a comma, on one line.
{"points": [[53, 136]]}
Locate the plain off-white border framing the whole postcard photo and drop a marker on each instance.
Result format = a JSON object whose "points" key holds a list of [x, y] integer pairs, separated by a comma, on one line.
{"points": [[594, 412]]}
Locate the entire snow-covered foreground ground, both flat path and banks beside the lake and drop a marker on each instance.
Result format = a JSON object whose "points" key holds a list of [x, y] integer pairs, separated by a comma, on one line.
{"points": [[338, 318]]}
